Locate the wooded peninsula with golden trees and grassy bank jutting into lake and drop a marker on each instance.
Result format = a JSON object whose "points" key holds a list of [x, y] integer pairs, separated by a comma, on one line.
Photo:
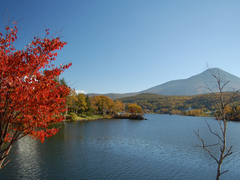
{"points": [[80, 107]]}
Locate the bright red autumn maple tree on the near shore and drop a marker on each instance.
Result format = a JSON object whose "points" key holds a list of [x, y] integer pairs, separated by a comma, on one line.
{"points": [[30, 99]]}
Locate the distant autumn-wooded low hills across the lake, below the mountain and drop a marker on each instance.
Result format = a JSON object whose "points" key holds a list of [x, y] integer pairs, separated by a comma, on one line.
{"points": [[186, 105]]}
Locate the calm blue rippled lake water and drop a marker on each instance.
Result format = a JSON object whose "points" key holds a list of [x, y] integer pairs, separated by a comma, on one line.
{"points": [[163, 147]]}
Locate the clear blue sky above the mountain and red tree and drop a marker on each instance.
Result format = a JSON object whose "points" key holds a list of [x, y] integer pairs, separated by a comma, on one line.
{"points": [[126, 46]]}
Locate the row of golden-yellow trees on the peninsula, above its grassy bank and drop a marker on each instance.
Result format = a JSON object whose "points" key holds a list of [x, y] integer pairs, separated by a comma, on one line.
{"points": [[83, 104]]}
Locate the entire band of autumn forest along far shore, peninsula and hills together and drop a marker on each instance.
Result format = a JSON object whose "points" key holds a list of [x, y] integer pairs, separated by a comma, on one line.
{"points": [[84, 108]]}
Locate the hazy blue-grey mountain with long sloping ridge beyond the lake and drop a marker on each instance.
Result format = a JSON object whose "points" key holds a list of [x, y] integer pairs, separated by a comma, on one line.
{"points": [[191, 86]]}
